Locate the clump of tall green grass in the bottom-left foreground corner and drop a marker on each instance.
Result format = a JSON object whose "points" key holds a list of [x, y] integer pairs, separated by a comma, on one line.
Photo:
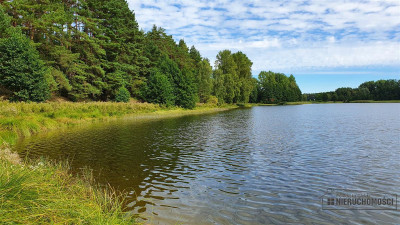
{"points": [[45, 193]]}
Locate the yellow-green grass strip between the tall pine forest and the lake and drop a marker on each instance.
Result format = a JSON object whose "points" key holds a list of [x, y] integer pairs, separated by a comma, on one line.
{"points": [[24, 119]]}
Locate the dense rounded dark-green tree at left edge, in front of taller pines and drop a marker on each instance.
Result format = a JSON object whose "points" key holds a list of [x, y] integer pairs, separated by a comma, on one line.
{"points": [[21, 70]]}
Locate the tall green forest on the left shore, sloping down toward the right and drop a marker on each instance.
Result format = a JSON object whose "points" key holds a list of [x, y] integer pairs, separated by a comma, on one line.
{"points": [[93, 50]]}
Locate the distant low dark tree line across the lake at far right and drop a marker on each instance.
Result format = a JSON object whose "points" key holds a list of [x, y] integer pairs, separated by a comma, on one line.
{"points": [[371, 90]]}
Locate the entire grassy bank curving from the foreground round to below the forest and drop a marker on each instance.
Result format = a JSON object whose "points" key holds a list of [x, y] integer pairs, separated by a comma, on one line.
{"points": [[34, 192]]}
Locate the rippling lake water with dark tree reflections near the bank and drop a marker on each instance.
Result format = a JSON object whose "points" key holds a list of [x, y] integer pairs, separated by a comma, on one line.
{"points": [[261, 165]]}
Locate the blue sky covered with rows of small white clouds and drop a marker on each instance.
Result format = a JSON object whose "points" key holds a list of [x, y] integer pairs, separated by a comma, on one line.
{"points": [[325, 44]]}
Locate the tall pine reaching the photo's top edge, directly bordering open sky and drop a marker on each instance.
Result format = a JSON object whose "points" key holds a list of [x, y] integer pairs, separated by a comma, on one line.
{"points": [[123, 43]]}
